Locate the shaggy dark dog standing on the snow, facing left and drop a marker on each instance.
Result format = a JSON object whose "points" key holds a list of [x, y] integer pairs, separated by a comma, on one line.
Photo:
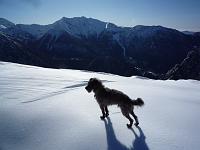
{"points": [[106, 97]]}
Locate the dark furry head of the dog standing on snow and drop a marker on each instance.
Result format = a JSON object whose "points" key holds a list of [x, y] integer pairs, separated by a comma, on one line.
{"points": [[93, 84]]}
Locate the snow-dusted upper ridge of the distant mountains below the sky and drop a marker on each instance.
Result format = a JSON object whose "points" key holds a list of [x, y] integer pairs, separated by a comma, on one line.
{"points": [[85, 27]]}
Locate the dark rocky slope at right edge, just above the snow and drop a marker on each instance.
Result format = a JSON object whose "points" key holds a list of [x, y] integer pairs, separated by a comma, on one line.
{"points": [[189, 68]]}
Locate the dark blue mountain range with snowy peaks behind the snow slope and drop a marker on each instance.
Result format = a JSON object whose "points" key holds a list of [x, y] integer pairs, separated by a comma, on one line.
{"points": [[90, 44]]}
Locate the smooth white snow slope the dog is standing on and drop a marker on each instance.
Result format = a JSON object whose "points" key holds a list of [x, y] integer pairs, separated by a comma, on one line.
{"points": [[44, 109]]}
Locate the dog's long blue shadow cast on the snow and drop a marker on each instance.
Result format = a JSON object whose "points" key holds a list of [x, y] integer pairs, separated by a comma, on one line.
{"points": [[139, 142]]}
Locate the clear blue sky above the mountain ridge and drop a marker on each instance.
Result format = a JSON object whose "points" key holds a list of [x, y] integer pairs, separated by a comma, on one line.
{"points": [[177, 14]]}
